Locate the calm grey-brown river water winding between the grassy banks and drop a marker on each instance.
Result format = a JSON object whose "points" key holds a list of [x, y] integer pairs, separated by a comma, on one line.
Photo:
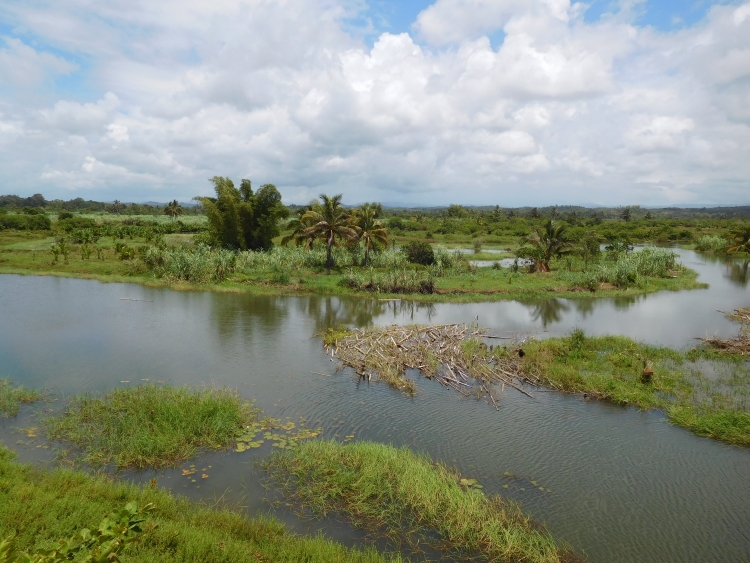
{"points": [[625, 485]]}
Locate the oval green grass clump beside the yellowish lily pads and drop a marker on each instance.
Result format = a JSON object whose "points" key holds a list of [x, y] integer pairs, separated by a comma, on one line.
{"points": [[150, 425]]}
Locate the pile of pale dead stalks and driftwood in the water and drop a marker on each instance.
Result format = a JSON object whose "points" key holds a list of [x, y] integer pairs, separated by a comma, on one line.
{"points": [[456, 355]]}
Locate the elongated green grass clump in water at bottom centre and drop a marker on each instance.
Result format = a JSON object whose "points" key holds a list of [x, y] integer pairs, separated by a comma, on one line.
{"points": [[411, 498]]}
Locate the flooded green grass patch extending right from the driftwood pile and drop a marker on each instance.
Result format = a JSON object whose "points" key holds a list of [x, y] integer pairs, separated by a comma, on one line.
{"points": [[699, 390]]}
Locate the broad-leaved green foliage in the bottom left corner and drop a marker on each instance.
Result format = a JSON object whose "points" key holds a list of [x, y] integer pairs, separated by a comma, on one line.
{"points": [[101, 546]]}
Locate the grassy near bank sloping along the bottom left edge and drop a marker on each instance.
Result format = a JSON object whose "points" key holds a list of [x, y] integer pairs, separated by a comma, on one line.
{"points": [[39, 507]]}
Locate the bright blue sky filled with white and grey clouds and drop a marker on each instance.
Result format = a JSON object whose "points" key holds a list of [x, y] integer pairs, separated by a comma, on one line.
{"points": [[475, 102]]}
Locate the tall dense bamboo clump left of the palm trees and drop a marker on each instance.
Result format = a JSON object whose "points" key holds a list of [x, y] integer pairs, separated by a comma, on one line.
{"points": [[239, 219]]}
